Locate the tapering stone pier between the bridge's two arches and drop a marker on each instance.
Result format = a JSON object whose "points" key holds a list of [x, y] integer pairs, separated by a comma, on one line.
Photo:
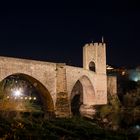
{"points": [[62, 102]]}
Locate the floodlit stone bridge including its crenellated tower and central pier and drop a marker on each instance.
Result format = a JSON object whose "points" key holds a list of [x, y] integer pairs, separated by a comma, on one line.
{"points": [[66, 90]]}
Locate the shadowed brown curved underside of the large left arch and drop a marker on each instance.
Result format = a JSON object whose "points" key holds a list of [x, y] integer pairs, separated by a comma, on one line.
{"points": [[48, 105]]}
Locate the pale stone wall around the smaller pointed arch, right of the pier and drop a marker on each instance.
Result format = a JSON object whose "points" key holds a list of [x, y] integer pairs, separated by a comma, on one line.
{"points": [[98, 81]]}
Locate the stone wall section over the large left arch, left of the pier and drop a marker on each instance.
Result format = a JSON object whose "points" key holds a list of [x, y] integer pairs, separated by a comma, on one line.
{"points": [[44, 72]]}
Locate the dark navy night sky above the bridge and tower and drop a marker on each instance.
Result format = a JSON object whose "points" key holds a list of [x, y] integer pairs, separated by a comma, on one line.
{"points": [[56, 31]]}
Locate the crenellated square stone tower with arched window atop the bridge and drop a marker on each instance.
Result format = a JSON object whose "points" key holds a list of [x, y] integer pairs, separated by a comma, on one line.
{"points": [[94, 57]]}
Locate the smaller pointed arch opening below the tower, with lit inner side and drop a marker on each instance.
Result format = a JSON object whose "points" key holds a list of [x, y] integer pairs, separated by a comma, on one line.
{"points": [[82, 94]]}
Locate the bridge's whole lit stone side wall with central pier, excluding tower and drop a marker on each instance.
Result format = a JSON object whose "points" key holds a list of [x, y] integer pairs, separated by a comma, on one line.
{"points": [[59, 79]]}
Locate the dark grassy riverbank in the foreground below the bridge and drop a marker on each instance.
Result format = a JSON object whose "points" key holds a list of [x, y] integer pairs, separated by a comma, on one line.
{"points": [[59, 129]]}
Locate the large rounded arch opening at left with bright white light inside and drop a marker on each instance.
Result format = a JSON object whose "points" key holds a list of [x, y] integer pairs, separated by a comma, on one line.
{"points": [[21, 94]]}
